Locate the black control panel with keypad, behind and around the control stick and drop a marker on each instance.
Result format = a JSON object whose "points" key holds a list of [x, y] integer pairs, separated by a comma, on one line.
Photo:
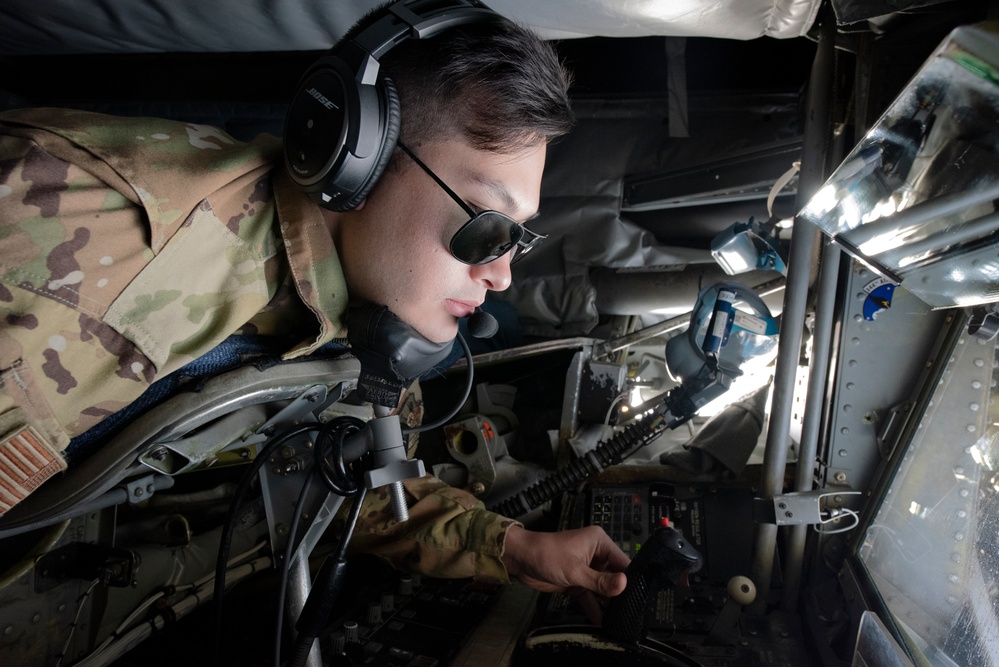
{"points": [[699, 620]]}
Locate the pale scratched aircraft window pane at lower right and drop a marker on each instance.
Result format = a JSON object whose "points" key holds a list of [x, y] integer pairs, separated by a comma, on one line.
{"points": [[932, 549]]}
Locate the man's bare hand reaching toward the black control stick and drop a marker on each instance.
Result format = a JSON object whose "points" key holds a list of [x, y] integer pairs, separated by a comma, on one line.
{"points": [[584, 558]]}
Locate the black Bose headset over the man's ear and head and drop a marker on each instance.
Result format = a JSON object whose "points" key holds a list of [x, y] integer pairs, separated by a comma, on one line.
{"points": [[343, 121]]}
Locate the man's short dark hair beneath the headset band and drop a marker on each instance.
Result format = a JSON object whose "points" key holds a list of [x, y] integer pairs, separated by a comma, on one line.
{"points": [[495, 83]]}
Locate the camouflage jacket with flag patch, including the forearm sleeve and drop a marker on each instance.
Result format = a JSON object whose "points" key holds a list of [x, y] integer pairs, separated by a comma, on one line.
{"points": [[131, 246]]}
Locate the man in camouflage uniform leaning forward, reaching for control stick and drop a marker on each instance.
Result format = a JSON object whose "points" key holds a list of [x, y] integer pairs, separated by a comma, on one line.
{"points": [[131, 246]]}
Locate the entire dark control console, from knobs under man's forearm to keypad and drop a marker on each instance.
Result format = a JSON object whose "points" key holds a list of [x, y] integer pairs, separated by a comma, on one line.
{"points": [[423, 622]]}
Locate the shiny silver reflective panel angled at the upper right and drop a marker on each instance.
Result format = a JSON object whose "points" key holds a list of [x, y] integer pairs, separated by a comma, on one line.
{"points": [[916, 199]]}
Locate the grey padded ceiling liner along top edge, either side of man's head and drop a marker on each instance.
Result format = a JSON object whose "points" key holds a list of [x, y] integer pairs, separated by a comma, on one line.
{"points": [[144, 26]]}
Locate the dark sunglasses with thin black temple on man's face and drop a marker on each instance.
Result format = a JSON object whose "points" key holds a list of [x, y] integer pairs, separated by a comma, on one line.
{"points": [[486, 236]]}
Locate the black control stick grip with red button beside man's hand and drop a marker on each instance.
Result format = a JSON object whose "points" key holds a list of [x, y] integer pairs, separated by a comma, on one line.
{"points": [[665, 559]]}
